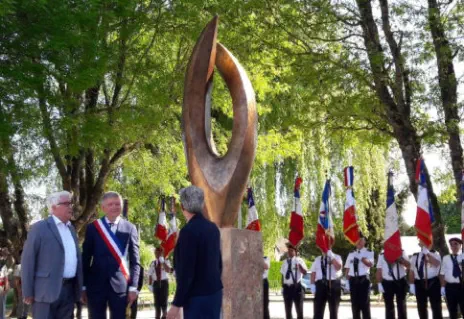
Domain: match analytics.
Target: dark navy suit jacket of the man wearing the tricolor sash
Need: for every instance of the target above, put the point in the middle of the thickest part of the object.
(99, 265)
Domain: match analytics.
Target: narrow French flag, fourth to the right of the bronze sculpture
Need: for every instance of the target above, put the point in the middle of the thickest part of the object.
(350, 225)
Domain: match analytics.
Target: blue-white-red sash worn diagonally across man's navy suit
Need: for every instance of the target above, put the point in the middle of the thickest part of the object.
(113, 244)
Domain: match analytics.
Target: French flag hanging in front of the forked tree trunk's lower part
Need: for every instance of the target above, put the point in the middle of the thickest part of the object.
(424, 215)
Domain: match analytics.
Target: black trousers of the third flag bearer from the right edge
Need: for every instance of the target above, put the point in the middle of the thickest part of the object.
(398, 289)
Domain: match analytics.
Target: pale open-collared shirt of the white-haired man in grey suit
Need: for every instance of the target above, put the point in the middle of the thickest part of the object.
(70, 253)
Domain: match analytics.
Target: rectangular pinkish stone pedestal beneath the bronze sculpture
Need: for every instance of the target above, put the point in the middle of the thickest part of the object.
(242, 273)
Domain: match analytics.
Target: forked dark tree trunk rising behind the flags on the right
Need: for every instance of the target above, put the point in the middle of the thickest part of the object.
(397, 107)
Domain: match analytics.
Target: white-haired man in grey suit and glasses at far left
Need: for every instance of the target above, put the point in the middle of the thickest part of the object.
(51, 273)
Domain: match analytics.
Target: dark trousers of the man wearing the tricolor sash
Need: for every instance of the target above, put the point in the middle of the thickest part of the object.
(100, 299)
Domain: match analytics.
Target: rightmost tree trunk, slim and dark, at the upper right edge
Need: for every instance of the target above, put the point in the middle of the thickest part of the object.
(448, 89)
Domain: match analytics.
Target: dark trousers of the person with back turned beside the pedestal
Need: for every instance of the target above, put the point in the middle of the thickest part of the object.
(204, 307)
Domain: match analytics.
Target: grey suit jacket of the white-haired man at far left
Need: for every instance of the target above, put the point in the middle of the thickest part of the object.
(42, 263)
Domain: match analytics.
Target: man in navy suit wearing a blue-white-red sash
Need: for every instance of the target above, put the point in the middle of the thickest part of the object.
(110, 261)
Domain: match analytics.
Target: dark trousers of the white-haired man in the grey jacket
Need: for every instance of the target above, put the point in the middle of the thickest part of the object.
(62, 308)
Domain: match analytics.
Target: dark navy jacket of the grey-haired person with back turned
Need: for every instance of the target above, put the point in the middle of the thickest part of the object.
(197, 260)
